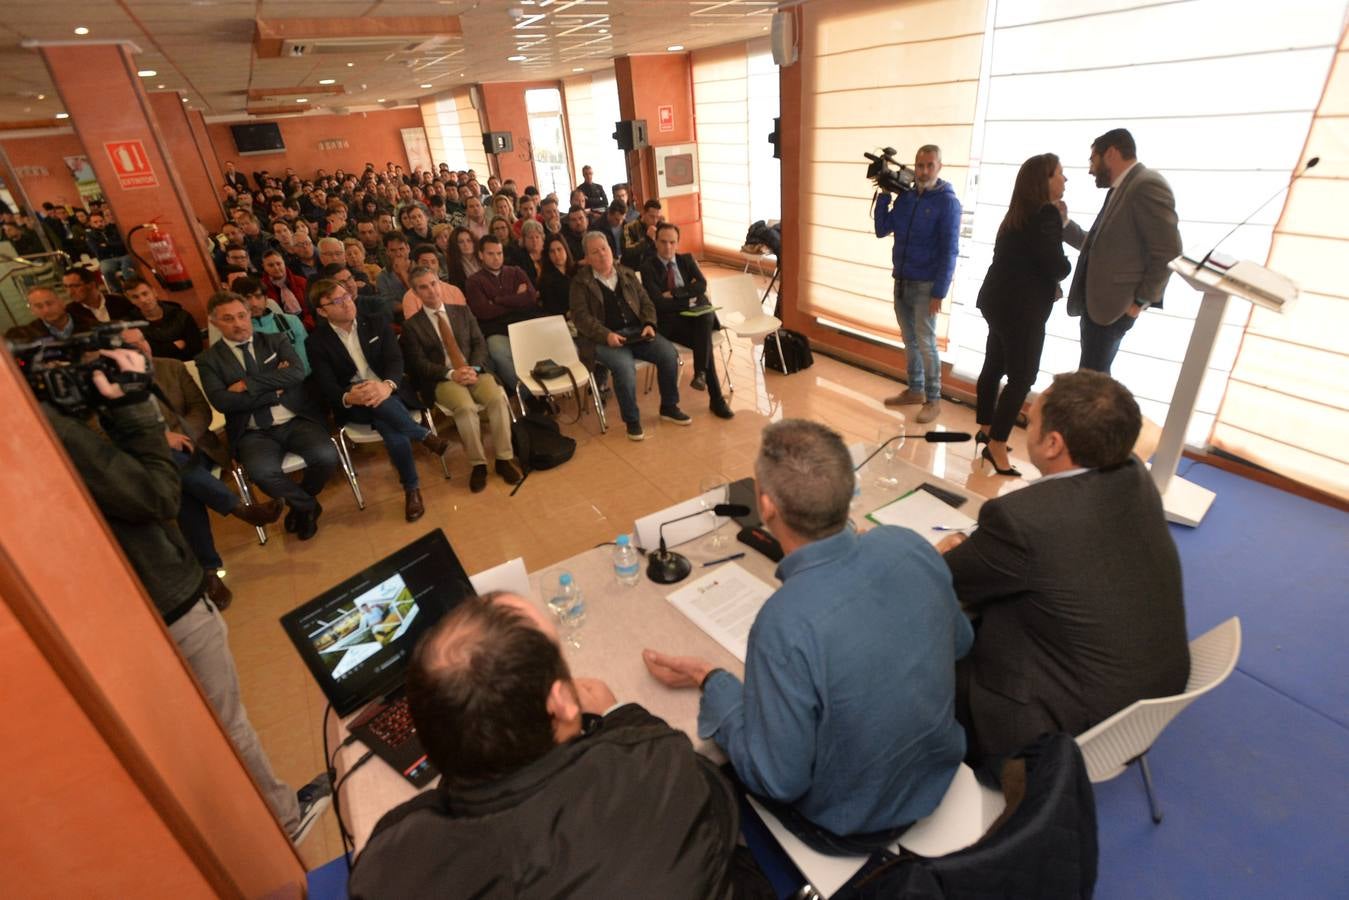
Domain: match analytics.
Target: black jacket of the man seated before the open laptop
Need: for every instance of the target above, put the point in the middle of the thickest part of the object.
(628, 810)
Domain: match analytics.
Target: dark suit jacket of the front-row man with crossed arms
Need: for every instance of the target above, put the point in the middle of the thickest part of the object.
(219, 369)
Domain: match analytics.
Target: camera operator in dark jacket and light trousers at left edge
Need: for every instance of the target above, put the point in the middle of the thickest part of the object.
(134, 481)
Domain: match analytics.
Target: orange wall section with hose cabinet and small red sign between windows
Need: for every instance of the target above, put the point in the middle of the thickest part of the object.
(644, 86)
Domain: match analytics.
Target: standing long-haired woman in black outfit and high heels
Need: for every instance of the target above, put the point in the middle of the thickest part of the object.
(1016, 299)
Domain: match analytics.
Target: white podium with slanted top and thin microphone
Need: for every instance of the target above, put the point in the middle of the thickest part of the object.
(1186, 503)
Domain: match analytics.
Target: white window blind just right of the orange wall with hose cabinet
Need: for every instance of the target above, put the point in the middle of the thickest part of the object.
(736, 99)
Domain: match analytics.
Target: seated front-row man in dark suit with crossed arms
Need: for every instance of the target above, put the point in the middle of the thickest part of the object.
(257, 381)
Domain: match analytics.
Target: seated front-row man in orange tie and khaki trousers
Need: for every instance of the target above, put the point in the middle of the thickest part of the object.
(447, 360)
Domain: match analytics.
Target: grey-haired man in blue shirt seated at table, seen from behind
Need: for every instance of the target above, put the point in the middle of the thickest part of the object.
(846, 720)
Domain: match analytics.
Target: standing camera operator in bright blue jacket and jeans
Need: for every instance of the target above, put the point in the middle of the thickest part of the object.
(926, 223)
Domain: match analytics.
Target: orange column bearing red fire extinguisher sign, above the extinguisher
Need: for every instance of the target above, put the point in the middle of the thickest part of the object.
(114, 121)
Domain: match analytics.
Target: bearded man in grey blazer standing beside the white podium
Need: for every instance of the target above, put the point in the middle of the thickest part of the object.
(1123, 261)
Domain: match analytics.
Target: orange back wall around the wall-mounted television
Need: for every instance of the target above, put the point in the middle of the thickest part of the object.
(372, 137)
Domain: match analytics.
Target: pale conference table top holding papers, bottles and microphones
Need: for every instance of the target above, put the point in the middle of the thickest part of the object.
(620, 623)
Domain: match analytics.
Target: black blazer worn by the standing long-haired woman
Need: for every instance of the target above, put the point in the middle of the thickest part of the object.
(1029, 264)
